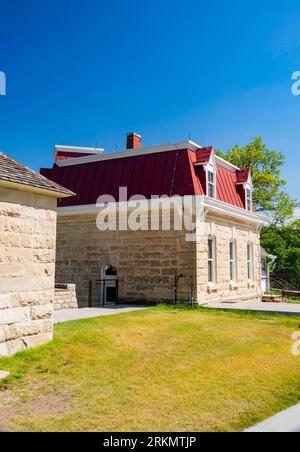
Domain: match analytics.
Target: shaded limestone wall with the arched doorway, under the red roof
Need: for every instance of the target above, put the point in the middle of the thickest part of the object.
(146, 261)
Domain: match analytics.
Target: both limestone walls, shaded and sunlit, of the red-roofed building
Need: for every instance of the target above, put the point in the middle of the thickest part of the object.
(147, 262)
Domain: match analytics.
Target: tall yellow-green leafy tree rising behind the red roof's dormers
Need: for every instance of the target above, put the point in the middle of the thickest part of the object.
(269, 195)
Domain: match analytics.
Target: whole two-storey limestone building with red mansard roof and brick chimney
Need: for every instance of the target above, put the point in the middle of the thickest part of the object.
(221, 262)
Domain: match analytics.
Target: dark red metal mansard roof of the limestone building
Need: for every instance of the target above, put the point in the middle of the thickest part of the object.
(155, 174)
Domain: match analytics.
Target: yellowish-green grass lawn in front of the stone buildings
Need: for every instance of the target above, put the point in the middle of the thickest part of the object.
(163, 369)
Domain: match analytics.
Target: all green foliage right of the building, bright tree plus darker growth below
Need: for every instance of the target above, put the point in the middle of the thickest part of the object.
(282, 236)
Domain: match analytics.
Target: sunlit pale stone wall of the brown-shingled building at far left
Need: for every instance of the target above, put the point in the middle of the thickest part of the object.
(27, 256)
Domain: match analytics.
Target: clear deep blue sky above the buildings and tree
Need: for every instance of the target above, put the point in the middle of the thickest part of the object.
(90, 71)
